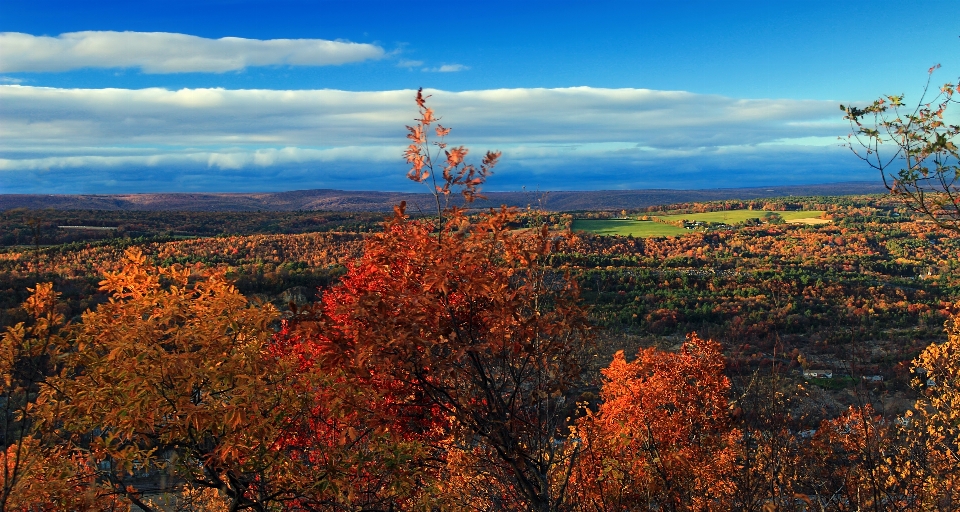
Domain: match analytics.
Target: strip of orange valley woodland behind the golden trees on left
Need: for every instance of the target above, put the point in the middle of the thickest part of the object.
(260, 265)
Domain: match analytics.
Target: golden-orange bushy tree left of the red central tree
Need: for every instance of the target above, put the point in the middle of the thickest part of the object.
(171, 383)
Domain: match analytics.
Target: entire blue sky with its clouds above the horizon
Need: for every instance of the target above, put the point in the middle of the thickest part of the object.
(118, 97)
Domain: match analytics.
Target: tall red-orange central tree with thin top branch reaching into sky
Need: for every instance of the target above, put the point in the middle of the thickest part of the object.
(475, 345)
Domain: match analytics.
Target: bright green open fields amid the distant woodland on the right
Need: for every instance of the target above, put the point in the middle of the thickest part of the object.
(645, 228)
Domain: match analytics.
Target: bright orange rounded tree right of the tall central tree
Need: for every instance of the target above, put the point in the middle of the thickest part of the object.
(661, 437)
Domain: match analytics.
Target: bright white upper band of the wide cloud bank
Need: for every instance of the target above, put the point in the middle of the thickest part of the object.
(38, 116)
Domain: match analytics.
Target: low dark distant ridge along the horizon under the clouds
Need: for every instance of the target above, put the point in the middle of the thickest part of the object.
(340, 200)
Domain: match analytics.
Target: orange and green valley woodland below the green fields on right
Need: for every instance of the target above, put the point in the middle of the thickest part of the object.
(774, 280)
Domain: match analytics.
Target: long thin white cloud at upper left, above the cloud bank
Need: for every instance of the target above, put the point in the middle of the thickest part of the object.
(164, 52)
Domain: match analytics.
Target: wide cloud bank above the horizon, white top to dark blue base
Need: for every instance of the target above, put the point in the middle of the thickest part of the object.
(121, 140)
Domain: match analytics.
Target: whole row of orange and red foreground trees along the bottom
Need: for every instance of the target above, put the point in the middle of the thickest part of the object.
(444, 373)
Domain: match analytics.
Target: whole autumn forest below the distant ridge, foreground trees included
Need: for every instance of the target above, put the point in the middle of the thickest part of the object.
(498, 359)
